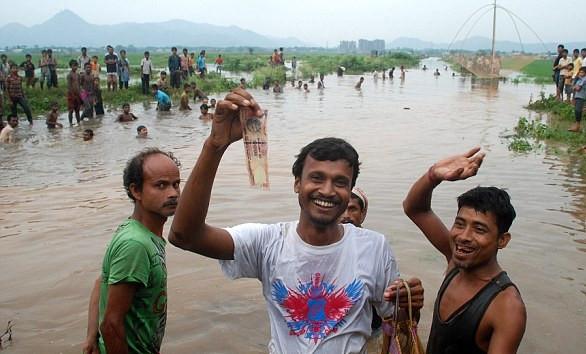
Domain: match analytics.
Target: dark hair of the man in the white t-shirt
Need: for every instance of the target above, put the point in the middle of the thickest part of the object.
(328, 149)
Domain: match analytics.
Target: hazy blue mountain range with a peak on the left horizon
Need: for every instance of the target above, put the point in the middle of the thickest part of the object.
(67, 29)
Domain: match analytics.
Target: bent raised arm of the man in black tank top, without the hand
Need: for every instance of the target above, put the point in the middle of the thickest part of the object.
(417, 206)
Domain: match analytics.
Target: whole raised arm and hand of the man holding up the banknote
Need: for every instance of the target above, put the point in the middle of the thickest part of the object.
(189, 230)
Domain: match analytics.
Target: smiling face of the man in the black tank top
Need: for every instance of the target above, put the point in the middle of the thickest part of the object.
(475, 239)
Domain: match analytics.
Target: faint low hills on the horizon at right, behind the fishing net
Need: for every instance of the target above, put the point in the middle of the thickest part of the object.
(480, 43)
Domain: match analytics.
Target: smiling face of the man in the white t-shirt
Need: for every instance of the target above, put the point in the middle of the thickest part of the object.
(323, 190)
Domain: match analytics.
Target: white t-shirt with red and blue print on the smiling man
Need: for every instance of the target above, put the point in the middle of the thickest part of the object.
(318, 298)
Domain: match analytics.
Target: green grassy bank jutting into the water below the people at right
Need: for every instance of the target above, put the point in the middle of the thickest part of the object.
(551, 132)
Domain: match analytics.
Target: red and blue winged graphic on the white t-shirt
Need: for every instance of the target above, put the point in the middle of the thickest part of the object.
(316, 308)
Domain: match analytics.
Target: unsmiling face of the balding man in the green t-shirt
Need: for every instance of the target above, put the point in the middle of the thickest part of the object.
(160, 188)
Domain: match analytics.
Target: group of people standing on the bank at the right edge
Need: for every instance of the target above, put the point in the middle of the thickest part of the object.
(569, 77)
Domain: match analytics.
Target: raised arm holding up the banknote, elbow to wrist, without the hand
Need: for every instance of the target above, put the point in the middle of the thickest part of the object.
(189, 230)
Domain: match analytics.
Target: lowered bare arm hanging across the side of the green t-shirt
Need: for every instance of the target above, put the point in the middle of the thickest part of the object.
(112, 329)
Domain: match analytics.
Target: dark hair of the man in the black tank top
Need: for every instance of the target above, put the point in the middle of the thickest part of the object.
(490, 199)
